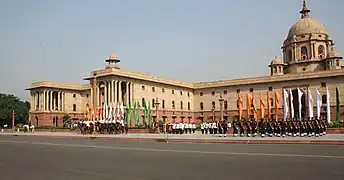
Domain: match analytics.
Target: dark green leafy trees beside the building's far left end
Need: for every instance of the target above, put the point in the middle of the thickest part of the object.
(9, 103)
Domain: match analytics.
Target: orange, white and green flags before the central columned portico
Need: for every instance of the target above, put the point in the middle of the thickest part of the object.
(116, 111)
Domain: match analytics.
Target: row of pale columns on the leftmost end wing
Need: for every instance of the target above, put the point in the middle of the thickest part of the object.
(47, 101)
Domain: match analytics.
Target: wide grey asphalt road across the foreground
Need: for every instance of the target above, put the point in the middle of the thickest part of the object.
(37, 158)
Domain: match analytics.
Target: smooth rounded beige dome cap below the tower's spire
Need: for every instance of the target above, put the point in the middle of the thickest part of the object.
(306, 25)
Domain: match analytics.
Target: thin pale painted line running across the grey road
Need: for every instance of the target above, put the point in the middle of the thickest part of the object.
(171, 150)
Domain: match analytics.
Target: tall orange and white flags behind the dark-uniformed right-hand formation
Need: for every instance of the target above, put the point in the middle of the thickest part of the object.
(287, 95)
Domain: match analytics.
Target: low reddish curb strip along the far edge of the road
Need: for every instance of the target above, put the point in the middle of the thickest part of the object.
(230, 141)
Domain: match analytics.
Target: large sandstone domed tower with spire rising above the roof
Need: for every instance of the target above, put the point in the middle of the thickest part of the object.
(308, 45)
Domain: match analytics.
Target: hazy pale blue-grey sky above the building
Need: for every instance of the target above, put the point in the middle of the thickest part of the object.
(191, 40)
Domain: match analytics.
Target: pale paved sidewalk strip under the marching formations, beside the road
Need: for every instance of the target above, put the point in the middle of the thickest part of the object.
(330, 139)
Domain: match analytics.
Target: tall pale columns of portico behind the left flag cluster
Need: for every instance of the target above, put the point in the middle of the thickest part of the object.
(113, 91)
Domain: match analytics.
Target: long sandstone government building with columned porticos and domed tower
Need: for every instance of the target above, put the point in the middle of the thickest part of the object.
(309, 60)
